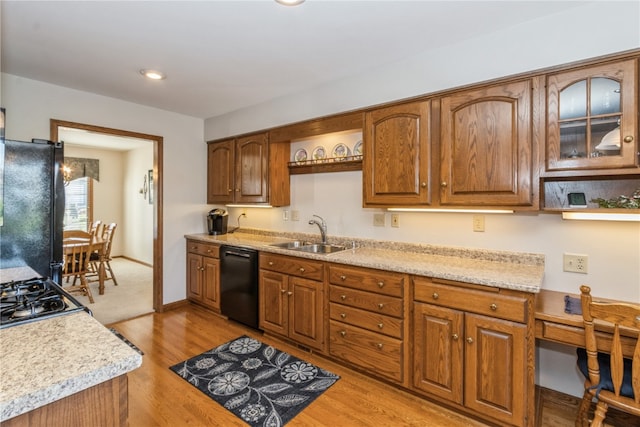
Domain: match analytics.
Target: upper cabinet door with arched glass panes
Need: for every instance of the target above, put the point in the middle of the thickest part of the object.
(592, 117)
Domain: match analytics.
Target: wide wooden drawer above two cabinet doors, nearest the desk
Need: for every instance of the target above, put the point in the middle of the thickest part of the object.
(492, 304)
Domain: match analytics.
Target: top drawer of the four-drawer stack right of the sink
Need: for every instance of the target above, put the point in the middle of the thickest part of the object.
(367, 279)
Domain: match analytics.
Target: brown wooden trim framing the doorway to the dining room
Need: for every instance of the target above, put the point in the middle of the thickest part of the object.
(57, 126)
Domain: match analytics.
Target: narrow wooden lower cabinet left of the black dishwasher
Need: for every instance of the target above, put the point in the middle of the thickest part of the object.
(203, 274)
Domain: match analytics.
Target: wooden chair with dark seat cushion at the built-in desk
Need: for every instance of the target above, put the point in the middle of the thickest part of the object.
(611, 379)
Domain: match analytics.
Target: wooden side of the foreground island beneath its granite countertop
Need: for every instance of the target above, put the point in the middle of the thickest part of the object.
(105, 405)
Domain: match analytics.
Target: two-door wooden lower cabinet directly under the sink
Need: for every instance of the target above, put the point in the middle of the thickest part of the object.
(290, 305)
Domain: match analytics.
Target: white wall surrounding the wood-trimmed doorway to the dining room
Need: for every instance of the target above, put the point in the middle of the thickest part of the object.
(31, 104)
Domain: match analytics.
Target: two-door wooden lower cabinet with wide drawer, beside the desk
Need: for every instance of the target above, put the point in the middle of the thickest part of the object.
(465, 353)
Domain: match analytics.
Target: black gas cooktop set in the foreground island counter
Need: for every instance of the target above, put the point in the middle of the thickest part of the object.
(23, 301)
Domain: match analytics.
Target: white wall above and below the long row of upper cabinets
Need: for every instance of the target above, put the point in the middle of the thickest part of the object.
(579, 33)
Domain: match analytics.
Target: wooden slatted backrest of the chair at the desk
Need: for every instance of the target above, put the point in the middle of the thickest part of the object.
(621, 316)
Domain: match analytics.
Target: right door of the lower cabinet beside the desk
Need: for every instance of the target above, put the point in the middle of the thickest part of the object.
(495, 368)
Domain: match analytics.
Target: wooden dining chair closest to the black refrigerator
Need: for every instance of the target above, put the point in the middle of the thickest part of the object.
(77, 248)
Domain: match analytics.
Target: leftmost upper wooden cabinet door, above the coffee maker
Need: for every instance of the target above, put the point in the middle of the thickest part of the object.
(220, 172)
